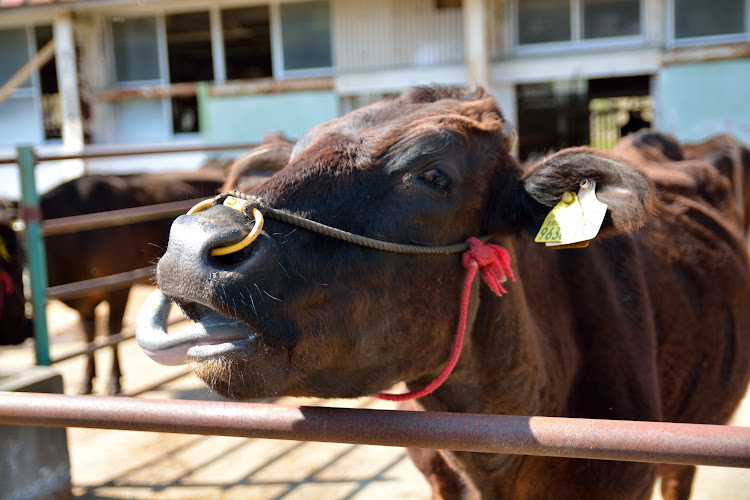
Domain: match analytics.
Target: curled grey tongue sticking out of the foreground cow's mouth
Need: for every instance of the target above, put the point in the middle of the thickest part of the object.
(213, 335)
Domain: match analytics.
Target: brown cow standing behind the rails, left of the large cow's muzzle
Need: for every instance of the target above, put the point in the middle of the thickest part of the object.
(103, 252)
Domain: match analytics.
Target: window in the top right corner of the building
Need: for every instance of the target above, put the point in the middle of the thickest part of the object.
(699, 18)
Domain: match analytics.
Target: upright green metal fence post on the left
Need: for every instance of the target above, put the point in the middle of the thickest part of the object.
(37, 262)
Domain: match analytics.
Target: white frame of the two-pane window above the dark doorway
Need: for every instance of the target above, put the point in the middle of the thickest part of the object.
(577, 41)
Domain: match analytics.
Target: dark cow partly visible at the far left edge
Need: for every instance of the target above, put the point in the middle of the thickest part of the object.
(15, 327)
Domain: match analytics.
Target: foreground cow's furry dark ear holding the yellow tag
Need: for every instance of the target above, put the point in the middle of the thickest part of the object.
(625, 190)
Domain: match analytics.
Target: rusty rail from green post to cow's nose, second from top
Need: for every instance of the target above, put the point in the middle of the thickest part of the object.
(112, 218)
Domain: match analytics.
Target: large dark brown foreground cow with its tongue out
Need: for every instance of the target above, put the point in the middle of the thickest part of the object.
(650, 322)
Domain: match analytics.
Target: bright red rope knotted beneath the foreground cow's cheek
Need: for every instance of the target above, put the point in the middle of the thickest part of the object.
(494, 262)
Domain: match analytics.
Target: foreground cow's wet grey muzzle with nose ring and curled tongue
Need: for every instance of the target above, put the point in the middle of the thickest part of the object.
(203, 250)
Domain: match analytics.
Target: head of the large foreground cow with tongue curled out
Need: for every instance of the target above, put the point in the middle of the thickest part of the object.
(297, 313)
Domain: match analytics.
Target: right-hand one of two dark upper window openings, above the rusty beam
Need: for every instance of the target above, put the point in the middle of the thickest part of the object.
(247, 42)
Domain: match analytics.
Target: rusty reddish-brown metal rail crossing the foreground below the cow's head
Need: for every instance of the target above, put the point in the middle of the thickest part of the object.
(654, 442)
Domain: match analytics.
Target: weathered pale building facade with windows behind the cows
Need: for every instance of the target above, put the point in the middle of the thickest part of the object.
(566, 72)
